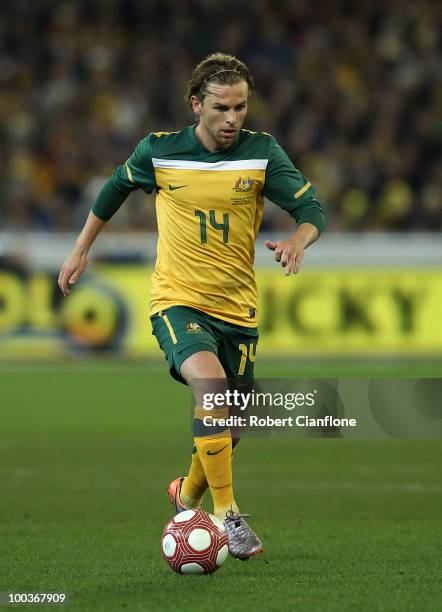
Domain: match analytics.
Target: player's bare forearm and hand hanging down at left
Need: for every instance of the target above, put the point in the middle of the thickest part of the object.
(76, 263)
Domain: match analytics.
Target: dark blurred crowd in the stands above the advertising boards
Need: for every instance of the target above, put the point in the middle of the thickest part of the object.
(351, 89)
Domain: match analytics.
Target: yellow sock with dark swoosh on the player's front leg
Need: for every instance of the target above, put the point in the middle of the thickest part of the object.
(215, 453)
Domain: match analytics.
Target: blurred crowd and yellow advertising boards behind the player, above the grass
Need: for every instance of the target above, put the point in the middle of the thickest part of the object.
(352, 92)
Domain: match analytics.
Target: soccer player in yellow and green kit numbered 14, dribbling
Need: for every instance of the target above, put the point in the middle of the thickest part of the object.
(211, 179)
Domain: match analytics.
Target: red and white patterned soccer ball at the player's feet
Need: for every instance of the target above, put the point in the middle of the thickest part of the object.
(194, 542)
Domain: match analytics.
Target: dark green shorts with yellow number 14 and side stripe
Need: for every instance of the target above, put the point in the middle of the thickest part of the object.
(183, 331)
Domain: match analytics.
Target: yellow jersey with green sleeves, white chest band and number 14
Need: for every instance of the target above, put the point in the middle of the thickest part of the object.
(209, 207)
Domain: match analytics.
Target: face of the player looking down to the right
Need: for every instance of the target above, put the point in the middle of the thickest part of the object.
(221, 114)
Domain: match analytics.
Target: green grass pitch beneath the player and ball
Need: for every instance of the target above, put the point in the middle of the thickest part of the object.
(87, 451)
